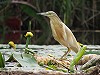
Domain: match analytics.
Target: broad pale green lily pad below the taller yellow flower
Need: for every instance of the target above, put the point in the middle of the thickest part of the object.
(26, 60)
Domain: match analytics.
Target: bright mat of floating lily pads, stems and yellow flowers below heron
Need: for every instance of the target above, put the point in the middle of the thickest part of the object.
(42, 58)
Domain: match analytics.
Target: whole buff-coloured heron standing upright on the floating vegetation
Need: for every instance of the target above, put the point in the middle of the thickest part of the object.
(62, 33)
